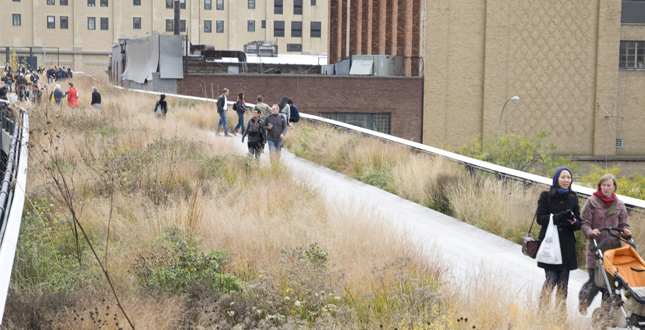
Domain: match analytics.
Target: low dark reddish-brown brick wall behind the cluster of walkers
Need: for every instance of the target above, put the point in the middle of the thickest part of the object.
(400, 96)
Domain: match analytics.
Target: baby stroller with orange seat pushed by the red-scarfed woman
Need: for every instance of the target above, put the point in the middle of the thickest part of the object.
(621, 272)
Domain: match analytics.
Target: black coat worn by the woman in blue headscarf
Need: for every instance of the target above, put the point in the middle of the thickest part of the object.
(556, 204)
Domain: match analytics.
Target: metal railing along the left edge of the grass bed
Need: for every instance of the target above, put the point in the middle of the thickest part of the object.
(12, 195)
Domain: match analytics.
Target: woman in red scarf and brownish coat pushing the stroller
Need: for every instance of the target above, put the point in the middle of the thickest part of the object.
(601, 210)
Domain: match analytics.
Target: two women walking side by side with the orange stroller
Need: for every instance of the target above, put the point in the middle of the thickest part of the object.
(602, 209)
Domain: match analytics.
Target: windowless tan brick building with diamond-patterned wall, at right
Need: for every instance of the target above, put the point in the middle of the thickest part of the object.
(577, 66)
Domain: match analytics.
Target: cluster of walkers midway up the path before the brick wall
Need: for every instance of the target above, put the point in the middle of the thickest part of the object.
(268, 124)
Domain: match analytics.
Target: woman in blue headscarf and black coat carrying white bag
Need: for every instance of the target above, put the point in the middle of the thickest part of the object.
(561, 201)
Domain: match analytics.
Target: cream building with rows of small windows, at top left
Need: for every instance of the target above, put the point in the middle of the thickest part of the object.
(85, 30)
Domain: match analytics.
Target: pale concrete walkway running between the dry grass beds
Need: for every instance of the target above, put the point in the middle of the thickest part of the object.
(473, 251)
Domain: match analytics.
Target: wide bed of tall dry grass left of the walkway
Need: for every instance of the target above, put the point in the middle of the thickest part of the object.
(133, 177)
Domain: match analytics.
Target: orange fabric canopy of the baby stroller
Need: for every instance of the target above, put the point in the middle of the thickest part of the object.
(629, 265)
